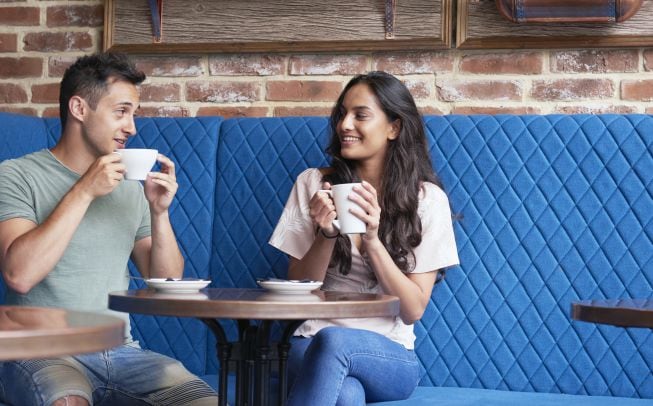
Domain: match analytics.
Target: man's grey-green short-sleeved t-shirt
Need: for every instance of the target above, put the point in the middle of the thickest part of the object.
(95, 261)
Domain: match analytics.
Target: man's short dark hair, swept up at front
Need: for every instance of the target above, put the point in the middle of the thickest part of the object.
(90, 76)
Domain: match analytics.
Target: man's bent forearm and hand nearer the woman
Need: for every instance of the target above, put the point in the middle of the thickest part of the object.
(158, 256)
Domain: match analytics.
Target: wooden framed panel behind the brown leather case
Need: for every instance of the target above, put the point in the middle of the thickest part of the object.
(480, 25)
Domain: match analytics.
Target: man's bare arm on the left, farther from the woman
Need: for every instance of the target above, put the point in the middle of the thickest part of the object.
(28, 252)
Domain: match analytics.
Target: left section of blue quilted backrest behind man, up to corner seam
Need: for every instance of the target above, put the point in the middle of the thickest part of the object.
(191, 143)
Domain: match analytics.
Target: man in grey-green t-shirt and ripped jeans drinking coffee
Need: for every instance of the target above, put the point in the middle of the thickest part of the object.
(69, 223)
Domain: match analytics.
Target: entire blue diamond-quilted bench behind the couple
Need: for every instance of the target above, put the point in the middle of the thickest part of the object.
(553, 209)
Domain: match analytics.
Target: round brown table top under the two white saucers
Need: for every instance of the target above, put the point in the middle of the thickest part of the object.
(254, 304)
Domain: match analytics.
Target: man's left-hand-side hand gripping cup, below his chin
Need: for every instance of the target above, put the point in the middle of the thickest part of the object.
(102, 177)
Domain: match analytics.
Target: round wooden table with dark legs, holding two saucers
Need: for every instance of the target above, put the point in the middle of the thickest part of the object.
(246, 306)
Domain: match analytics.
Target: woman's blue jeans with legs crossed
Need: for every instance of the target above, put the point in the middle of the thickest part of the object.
(344, 366)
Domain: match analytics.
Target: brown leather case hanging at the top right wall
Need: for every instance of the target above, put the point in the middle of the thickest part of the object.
(527, 11)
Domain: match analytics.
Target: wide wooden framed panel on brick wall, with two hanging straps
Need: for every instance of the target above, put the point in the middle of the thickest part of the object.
(198, 26)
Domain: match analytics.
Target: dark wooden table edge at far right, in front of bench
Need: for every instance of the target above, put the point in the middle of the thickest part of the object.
(617, 312)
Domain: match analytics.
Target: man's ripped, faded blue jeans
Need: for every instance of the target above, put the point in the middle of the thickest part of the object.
(126, 375)
